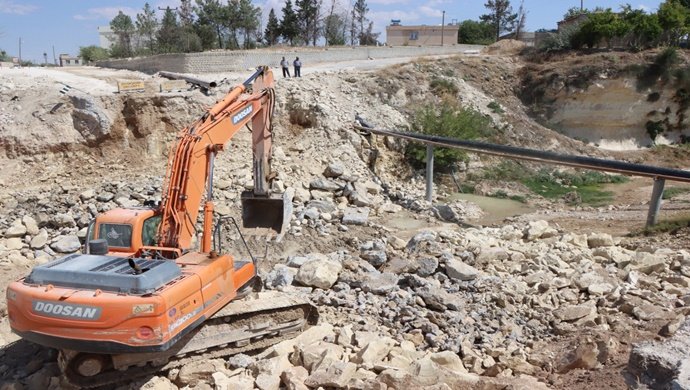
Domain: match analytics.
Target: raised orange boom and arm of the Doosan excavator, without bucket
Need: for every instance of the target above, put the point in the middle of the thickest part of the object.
(189, 175)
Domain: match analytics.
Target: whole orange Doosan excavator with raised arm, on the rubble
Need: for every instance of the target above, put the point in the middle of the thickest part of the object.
(144, 298)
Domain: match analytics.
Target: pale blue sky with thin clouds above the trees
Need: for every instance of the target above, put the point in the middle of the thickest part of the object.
(69, 24)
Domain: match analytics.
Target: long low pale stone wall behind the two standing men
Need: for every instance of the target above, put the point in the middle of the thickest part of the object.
(225, 61)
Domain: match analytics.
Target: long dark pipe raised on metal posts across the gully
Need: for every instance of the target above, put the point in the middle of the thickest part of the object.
(599, 164)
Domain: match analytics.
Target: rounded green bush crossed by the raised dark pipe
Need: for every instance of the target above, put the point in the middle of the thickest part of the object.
(449, 119)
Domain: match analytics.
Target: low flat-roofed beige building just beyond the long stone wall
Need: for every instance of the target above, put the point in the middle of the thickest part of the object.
(398, 35)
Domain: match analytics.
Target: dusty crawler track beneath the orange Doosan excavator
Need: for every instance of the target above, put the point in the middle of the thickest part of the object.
(255, 322)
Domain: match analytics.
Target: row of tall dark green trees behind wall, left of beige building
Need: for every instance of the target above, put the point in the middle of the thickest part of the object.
(235, 24)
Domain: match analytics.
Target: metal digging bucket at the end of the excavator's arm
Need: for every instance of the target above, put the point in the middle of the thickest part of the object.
(267, 212)
